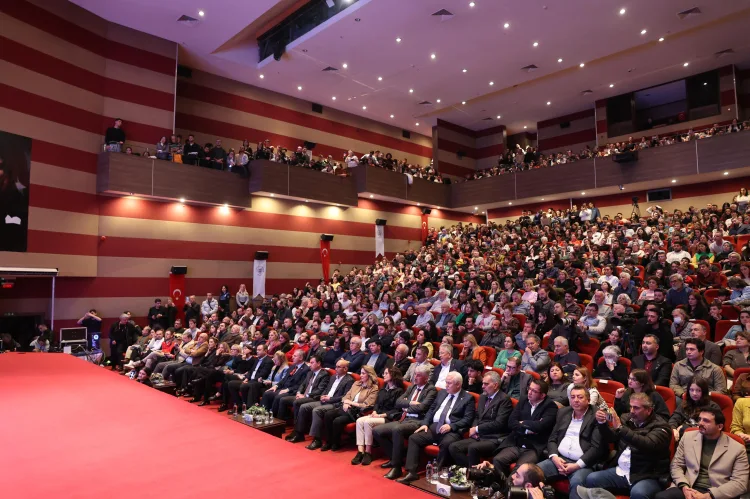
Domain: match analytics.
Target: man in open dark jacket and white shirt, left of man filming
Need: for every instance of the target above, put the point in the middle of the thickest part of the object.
(575, 443)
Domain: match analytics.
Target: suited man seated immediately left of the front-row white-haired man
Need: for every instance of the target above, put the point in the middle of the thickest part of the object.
(407, 416)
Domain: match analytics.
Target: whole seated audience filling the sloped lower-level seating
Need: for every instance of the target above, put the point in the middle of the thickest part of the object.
(541, 342)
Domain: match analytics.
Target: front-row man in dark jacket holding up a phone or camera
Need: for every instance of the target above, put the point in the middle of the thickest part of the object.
(641, 439)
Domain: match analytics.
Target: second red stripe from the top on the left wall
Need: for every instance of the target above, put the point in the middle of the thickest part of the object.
(39, 62)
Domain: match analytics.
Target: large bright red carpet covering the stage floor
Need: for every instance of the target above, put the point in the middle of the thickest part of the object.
(71, 429)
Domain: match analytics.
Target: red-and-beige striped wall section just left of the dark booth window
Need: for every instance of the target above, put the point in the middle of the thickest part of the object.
(570, 132)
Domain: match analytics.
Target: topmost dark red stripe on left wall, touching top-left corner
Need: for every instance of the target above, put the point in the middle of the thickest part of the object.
(72, 33)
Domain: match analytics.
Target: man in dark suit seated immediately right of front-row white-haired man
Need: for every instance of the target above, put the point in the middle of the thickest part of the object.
(490, 424)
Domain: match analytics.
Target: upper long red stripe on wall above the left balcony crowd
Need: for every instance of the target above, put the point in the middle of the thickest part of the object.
(244, 104)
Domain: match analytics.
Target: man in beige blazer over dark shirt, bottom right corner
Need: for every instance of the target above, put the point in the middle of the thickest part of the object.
(708, 464)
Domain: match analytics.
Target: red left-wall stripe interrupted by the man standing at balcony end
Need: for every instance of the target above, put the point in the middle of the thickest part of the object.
(64, 114)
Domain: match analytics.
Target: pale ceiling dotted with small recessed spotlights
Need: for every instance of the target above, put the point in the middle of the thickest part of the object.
(364, 36)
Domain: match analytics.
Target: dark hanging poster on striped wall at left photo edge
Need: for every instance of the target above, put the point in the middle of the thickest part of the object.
(15, 171)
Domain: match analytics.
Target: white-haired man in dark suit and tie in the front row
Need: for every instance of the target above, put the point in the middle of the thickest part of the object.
(449, 417)
